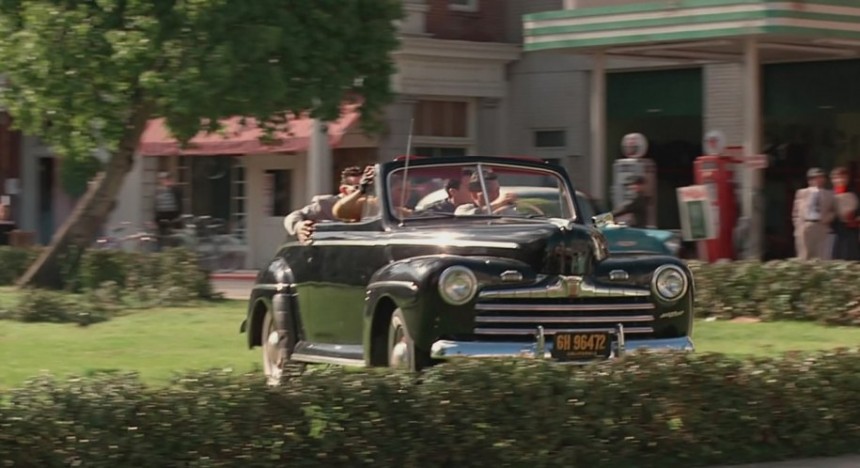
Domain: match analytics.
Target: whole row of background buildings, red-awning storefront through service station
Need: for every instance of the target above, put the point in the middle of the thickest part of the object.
(563, 80)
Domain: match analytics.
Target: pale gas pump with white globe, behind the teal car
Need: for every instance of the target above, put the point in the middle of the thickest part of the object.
(634, 146)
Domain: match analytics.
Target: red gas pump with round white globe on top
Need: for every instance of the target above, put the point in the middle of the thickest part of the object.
(716, 171)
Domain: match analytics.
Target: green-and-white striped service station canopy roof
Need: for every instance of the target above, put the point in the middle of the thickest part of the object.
(701, 31)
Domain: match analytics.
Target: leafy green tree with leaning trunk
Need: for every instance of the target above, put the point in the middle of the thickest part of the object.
(84, 74)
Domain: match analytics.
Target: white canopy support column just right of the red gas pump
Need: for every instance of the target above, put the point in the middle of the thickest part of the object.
(752, 179)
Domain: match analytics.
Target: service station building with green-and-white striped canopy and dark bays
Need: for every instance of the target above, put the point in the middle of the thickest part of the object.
(777, 78)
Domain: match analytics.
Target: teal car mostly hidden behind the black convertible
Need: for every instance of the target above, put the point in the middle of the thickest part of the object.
(621, 239)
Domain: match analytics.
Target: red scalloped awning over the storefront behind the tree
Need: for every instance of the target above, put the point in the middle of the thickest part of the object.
(238, 140)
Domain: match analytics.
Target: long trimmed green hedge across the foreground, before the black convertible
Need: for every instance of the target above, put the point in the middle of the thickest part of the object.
(642, 410)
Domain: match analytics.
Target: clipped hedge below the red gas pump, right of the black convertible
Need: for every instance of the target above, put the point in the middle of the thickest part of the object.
(821, 291)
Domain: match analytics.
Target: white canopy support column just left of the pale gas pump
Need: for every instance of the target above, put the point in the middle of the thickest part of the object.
(598, 127)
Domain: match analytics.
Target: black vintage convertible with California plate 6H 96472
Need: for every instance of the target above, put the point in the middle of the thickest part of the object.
(534, 280)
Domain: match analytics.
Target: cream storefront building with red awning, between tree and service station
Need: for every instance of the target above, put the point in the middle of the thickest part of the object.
(451, 85)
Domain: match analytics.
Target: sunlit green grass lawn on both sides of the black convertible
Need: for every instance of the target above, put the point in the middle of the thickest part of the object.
(162, 342)
